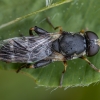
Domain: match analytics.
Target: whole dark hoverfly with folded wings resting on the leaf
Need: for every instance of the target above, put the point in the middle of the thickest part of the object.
(48, 47)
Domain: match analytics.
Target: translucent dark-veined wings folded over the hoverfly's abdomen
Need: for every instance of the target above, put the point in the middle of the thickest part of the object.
(25, 49)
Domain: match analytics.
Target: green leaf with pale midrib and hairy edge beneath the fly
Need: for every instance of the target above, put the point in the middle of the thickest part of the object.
(17, 17)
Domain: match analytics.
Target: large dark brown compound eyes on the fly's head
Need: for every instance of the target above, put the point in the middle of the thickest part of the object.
(92, 47)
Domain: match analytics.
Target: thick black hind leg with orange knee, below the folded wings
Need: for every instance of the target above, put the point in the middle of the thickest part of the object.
(36, 65)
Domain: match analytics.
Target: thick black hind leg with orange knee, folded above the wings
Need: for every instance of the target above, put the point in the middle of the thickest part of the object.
(38, 30)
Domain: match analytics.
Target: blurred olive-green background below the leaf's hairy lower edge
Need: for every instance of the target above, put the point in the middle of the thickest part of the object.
(20, 87)
